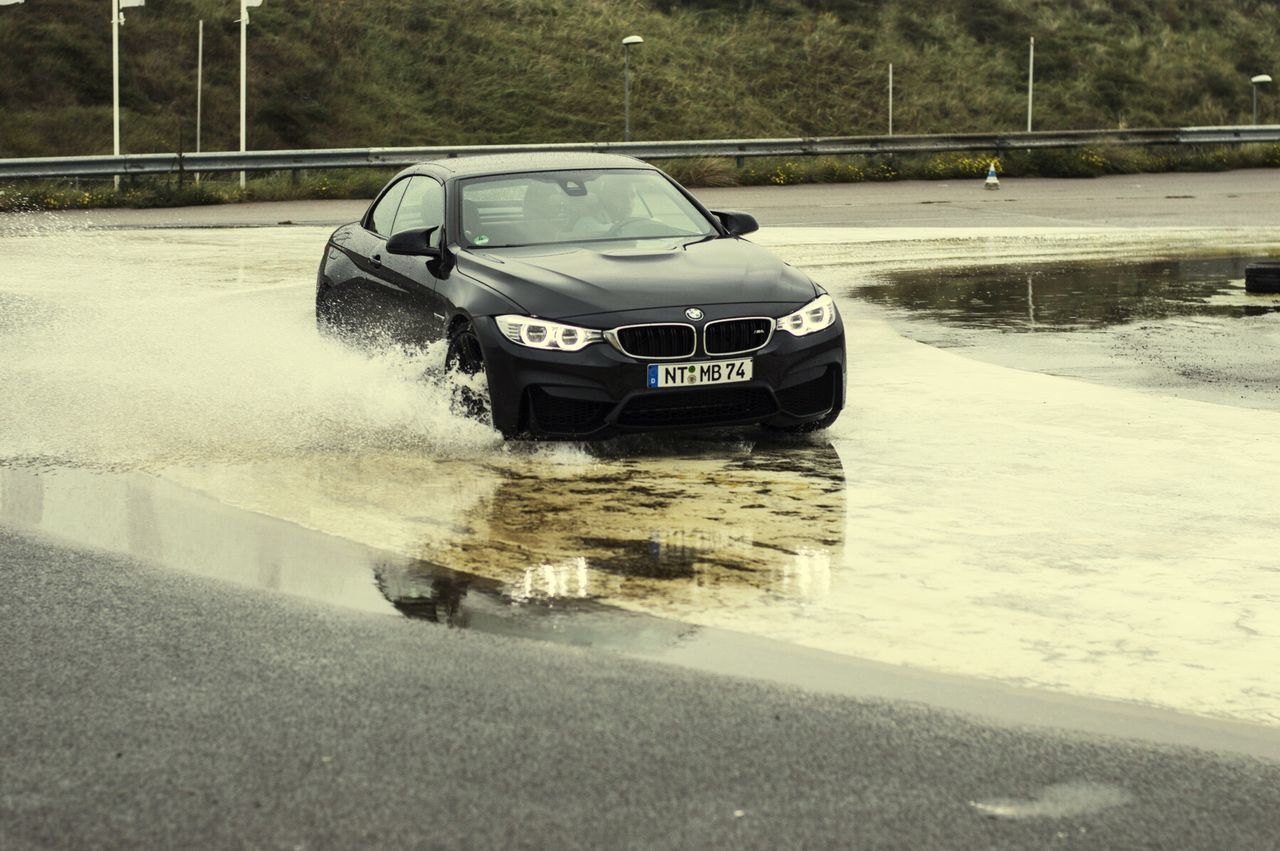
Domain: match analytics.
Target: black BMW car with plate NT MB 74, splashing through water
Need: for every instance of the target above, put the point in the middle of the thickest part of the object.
(584, 296)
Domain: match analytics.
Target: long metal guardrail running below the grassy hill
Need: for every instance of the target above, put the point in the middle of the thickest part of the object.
(209, 162)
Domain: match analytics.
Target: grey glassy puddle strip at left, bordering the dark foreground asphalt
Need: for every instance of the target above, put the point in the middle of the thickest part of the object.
(148, 518)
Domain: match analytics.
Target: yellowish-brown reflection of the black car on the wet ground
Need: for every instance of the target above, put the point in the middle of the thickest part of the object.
(661, 534)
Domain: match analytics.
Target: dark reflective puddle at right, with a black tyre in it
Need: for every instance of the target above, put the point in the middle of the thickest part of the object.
(1183, 327)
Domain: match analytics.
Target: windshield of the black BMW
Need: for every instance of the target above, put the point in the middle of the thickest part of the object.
(547, 208)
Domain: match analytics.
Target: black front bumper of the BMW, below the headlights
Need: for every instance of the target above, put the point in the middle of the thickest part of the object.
(600, 392)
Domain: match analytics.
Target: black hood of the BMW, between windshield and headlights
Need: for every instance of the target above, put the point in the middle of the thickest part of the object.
(561, 282)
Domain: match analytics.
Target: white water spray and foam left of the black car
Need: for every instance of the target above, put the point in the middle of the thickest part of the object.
(144, 349)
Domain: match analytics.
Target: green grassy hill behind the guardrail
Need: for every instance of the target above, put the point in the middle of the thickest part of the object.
(332, 74)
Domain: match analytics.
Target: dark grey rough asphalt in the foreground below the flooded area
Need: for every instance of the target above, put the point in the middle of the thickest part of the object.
(149, 710)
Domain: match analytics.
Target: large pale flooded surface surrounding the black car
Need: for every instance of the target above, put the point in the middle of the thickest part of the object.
(166, 395)
